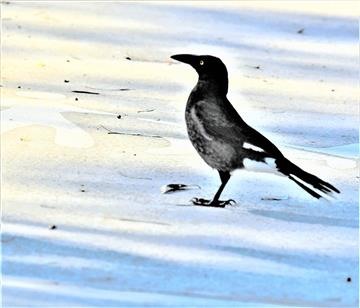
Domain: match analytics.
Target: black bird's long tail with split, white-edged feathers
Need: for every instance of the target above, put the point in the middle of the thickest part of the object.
(305, 179)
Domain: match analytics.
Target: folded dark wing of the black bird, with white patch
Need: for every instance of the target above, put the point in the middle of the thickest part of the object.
(222, 122)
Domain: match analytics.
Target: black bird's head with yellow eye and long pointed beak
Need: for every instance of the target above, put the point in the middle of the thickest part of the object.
(209, 68)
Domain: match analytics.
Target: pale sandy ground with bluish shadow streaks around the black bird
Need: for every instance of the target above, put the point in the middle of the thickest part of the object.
(118, 241)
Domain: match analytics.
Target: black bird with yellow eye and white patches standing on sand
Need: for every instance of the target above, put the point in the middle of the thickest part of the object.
(224, 140)
